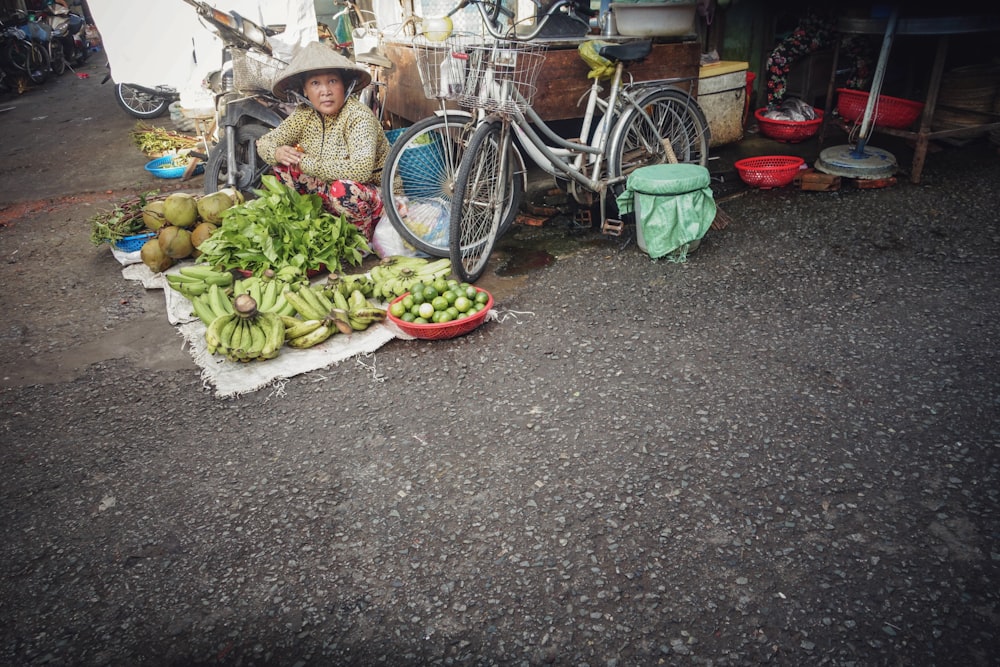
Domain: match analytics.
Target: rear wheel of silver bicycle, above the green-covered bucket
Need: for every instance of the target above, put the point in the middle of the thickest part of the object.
(677, 122)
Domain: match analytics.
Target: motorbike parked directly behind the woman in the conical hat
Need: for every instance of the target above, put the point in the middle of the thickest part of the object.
(245, 109)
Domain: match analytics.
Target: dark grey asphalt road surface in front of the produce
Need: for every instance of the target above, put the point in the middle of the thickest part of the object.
(782, 451)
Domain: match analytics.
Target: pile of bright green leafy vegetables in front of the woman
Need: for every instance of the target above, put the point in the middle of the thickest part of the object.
(282, 227)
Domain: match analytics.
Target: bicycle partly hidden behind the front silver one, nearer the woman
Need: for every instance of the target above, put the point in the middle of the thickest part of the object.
(422, 217)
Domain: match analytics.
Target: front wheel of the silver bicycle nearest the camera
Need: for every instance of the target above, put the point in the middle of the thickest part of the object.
(486, 190)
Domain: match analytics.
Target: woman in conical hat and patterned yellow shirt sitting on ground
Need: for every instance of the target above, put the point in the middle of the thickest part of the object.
(331, 145)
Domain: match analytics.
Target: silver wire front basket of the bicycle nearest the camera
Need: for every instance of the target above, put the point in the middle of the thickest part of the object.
(500, 76)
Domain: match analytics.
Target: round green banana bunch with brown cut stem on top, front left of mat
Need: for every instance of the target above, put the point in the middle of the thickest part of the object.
(246, 334)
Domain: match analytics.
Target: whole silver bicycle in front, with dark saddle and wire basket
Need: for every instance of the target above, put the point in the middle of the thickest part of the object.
(639, 124)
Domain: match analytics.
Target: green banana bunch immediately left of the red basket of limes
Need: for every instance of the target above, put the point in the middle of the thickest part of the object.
(322, 318)
